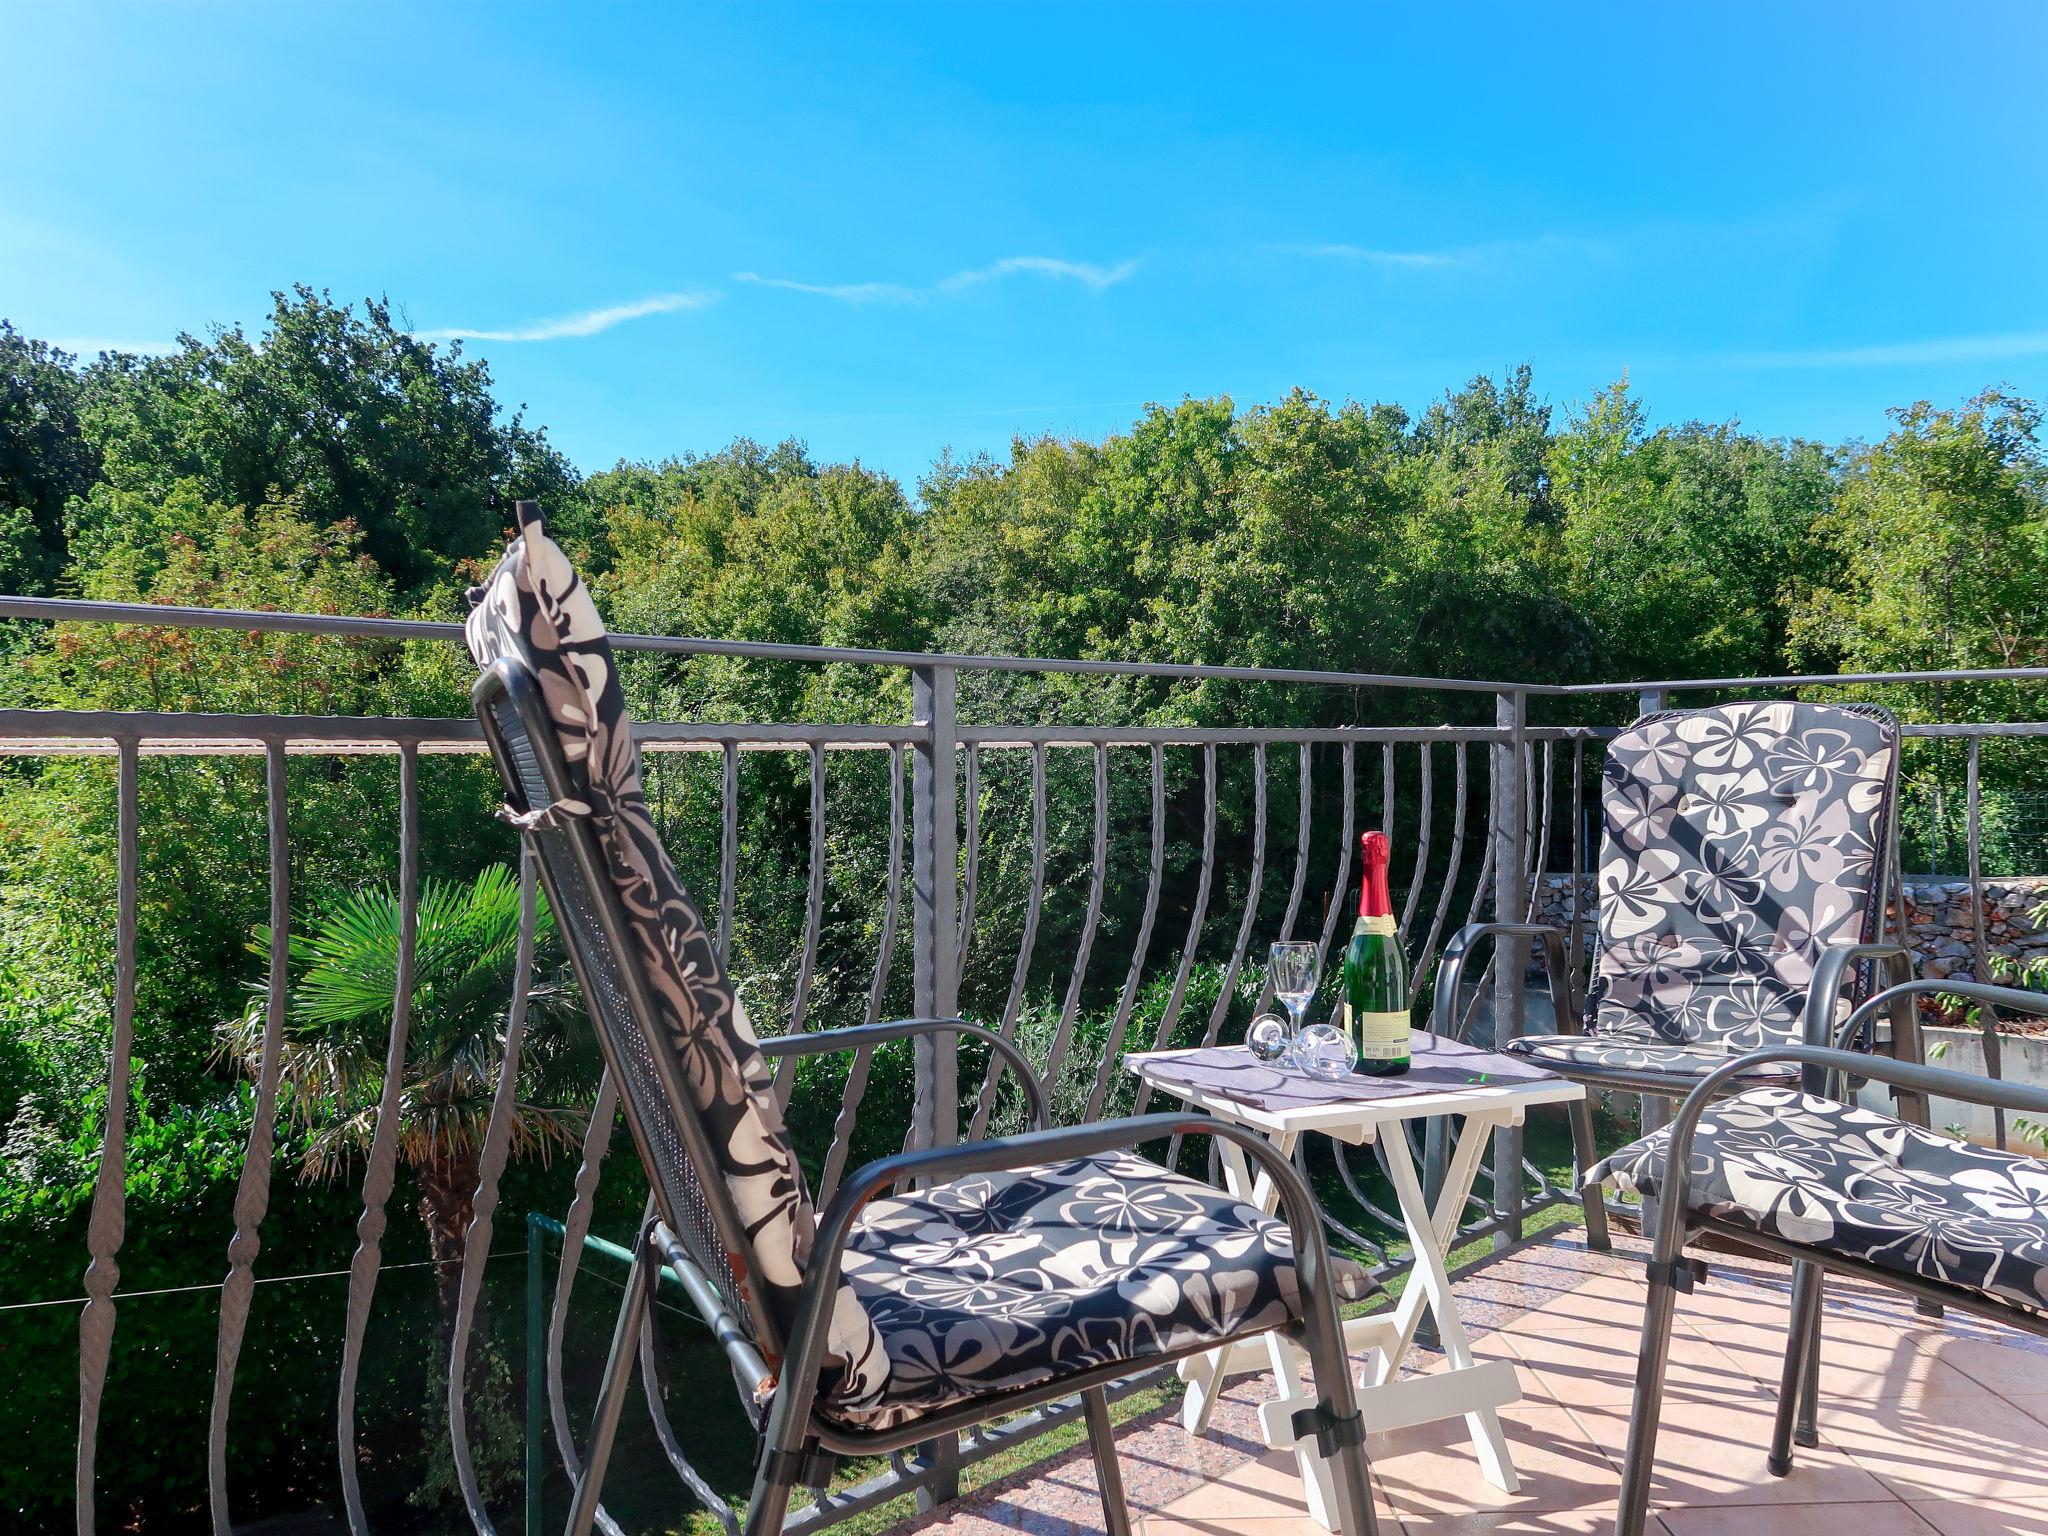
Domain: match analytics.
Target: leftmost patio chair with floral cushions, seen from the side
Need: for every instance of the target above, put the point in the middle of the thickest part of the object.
(1015, 1273)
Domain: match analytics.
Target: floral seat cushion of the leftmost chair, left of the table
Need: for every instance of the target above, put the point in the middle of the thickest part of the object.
(1007, 1281)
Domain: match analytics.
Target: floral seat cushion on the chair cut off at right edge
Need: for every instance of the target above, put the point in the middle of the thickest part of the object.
(1863, 1185)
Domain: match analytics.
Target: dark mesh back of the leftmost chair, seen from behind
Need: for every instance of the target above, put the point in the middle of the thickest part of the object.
(648, 1107)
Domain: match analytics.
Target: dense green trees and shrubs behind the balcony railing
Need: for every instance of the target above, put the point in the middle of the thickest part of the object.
(335, 464)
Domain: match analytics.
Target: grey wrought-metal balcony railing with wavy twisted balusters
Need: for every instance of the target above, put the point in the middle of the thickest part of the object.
(1484, 808)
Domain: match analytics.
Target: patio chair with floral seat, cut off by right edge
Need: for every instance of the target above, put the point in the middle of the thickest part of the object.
(1803, 1175)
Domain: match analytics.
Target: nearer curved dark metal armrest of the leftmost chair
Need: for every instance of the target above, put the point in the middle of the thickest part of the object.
(837, 1224)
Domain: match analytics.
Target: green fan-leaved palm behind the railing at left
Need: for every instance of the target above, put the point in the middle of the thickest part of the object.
(333, 1054)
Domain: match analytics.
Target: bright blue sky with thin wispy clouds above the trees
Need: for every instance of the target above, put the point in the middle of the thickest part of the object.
(892, 230)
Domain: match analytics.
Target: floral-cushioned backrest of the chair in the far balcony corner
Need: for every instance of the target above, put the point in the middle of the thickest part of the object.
(1740, 843)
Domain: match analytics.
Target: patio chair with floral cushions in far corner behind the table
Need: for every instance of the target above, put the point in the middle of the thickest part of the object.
(1742, 888)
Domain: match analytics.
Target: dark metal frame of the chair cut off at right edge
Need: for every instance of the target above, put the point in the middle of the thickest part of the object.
(1826, 1070)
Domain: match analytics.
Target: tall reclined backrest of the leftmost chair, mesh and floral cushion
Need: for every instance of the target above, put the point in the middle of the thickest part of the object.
(695, 1089)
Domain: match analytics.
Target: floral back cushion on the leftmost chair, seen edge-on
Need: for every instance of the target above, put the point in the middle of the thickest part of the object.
(540, 613)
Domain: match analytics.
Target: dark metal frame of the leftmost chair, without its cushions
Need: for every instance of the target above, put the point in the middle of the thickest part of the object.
(800, 1445)
